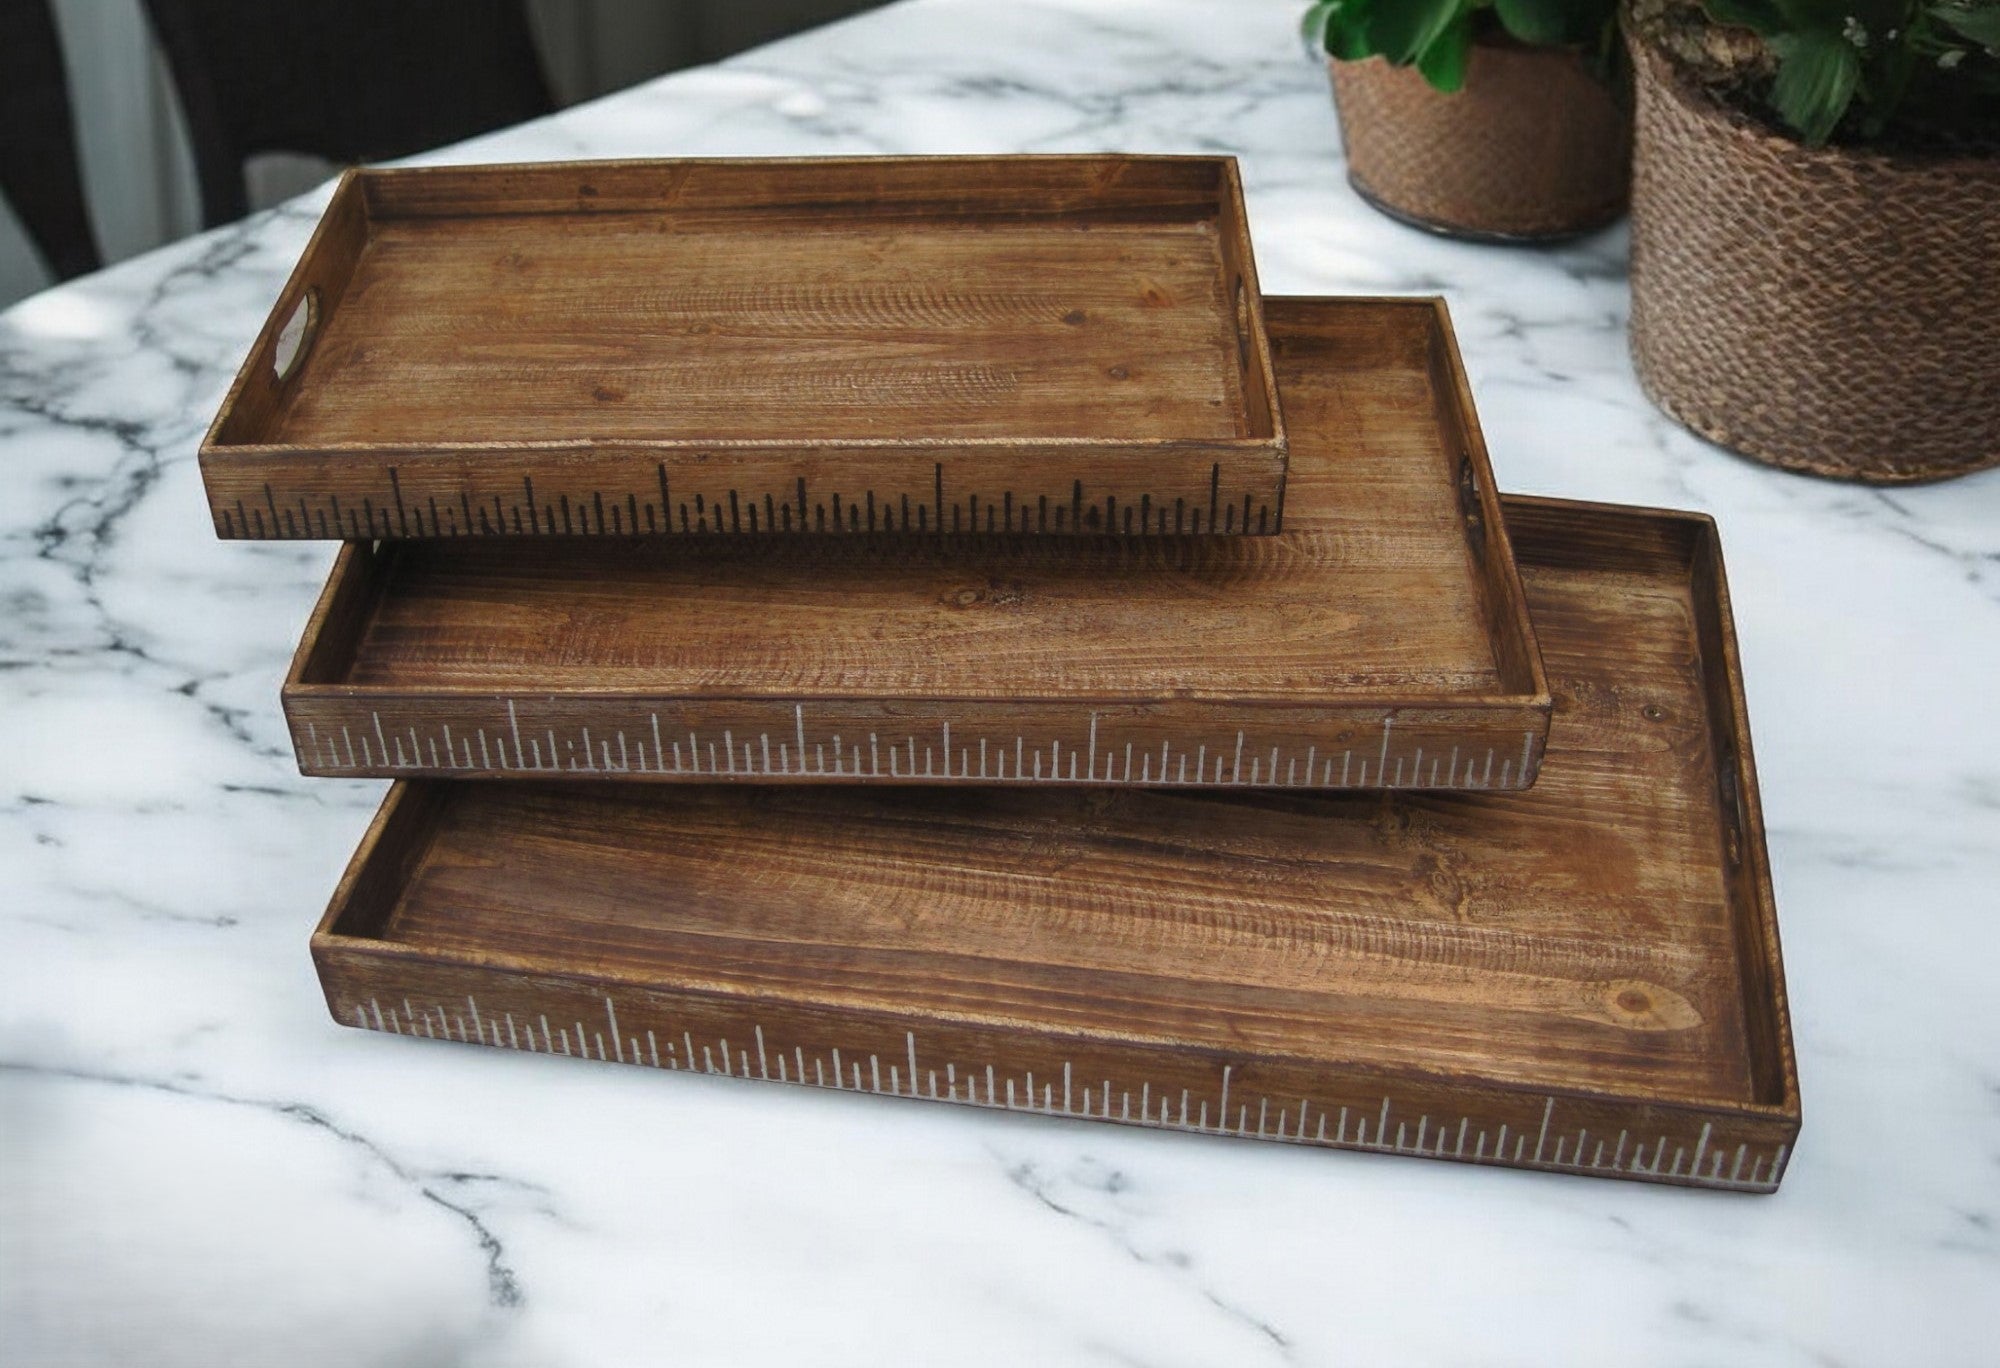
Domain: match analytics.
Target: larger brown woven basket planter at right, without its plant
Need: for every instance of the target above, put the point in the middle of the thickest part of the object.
(1815, 309)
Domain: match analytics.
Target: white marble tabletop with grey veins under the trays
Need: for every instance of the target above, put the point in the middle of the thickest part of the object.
(197, 1167)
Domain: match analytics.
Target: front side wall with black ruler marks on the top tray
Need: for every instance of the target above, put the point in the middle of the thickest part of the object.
(667, 489)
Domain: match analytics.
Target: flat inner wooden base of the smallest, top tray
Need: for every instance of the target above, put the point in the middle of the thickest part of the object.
(795, 327)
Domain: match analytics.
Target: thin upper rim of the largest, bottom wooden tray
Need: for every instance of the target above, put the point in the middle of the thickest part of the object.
(407, 801)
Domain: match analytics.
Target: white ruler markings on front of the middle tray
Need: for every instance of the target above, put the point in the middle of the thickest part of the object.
(757, 759)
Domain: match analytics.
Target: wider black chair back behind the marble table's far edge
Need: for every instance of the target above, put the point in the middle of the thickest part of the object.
(353, 81)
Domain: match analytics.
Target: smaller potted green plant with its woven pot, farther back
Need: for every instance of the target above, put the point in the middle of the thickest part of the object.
(1481, 119)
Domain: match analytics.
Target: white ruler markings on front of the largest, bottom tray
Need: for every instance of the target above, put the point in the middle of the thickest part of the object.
(1003, 1095)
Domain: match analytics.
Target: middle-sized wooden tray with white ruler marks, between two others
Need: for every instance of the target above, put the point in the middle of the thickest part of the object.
(1381, 641)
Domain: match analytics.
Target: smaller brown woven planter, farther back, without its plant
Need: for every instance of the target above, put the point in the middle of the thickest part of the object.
(1533, 149)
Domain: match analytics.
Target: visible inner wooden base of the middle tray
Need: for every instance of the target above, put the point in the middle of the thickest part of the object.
(1321, 611)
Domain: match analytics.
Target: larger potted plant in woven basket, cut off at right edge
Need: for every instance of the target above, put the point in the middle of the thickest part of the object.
(1817, 231)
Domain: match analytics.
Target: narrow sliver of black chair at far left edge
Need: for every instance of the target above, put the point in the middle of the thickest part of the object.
(39, 169)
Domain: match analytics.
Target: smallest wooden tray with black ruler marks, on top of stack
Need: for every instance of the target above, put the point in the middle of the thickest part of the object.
(845, 345)
